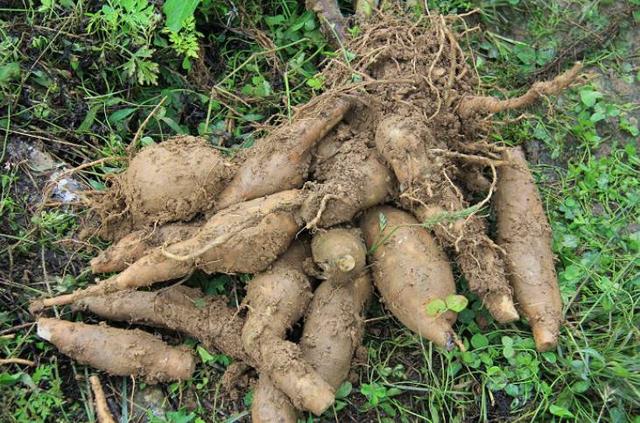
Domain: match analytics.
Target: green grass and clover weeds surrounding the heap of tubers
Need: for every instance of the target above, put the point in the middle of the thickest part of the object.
(80, 79)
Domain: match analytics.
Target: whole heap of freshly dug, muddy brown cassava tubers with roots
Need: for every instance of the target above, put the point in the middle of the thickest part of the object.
(385, 178)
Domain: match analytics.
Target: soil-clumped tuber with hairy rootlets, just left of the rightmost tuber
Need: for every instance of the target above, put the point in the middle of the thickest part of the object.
(414, 154)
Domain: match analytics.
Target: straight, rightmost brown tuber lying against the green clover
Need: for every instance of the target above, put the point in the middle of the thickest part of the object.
(525, 234)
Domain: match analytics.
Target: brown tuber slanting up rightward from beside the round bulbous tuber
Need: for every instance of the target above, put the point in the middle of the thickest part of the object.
(281, 161)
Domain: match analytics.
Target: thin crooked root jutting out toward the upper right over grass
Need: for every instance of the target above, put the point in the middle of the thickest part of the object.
(487, 104)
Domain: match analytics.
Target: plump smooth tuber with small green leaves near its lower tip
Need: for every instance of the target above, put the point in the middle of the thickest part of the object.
(410, 271)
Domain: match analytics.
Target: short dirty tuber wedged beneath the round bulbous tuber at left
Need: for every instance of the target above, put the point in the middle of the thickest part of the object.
(135, 245)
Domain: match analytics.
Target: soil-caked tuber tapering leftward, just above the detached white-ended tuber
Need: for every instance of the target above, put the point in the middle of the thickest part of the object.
(186, 310)
